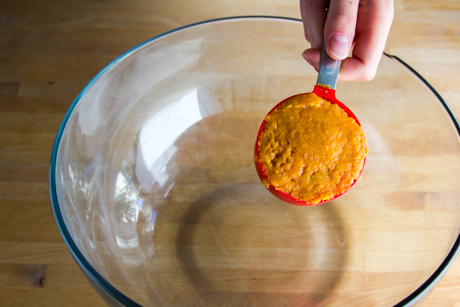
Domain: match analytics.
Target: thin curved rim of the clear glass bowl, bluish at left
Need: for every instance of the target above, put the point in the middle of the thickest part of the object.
(91, 272)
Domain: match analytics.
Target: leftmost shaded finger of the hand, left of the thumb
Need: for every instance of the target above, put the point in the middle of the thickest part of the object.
(313, 14)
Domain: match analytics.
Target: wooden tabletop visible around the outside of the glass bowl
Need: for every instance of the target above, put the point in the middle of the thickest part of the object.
(50, 49)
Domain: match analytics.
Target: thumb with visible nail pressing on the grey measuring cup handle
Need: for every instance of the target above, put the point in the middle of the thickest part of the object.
(340, 26)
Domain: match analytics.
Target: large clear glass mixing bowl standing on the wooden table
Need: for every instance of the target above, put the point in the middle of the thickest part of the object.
(154, 188)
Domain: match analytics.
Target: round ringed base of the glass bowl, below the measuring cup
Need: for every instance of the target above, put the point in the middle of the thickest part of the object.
(260, 251)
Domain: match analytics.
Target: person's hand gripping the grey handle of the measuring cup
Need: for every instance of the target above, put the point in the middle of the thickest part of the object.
(358, 25)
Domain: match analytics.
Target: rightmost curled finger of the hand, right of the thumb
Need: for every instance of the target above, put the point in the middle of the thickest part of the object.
(373, 26)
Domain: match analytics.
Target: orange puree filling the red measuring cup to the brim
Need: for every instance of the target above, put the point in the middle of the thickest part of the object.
(310, 149)
